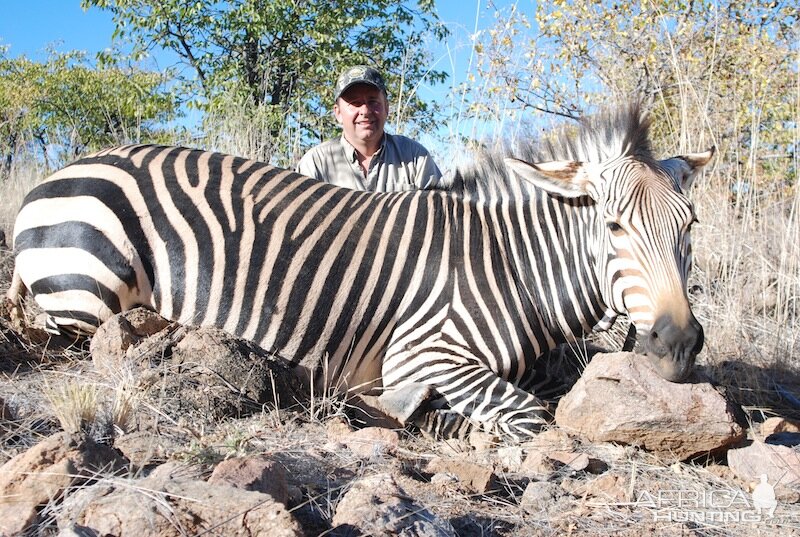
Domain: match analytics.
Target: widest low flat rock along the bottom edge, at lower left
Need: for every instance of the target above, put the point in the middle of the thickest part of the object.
(158, 505)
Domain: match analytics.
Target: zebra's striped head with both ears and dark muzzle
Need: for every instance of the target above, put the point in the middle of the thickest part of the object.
(639, 234)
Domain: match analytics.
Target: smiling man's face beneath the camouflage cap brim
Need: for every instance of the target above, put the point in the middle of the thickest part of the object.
(362, 111)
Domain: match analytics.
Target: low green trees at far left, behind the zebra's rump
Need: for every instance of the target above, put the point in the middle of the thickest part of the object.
(66, 106)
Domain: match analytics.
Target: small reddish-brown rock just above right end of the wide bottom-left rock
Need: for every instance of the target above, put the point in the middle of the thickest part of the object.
(258, 473)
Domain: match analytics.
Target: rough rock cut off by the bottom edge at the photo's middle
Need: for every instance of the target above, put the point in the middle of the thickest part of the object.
(376, 505)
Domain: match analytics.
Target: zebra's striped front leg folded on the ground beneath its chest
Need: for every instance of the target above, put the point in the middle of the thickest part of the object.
(469, 389)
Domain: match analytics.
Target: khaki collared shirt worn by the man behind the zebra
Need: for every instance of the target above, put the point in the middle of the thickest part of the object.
(400, 164)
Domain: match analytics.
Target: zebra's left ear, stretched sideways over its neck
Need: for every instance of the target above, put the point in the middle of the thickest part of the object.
(567, 178)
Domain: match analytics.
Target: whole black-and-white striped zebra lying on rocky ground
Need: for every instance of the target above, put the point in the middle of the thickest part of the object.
(459, 290)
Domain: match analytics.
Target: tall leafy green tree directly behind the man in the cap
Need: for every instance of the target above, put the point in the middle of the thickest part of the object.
(278, 59)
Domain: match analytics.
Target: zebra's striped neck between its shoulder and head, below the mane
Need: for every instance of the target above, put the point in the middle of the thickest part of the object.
(539, 248)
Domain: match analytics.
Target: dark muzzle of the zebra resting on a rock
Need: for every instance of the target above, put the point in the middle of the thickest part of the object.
(672, 348)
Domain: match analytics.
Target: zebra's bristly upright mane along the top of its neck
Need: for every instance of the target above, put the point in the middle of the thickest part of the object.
(613, 133)
